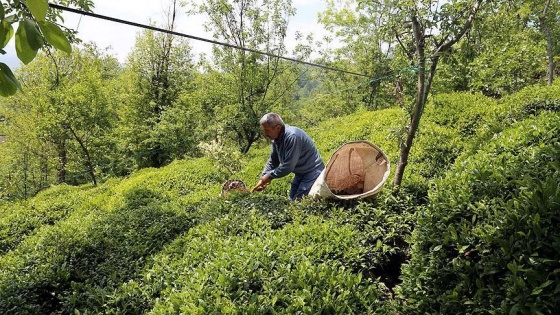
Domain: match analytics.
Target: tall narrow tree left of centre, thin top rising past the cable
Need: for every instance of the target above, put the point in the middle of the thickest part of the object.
(159, 70)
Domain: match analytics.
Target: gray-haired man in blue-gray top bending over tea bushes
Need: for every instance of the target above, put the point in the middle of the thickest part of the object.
(293, 151)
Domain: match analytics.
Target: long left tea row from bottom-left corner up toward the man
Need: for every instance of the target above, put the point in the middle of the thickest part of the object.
(75, 263)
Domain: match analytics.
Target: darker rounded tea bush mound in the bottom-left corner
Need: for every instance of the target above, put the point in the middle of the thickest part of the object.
(60, 266)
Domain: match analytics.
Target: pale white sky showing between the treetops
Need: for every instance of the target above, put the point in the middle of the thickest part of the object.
(120, 38)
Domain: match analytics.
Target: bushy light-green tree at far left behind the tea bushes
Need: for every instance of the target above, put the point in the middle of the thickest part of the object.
(60, 122)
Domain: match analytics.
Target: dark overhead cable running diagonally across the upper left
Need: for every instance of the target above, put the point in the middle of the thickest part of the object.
(153, 28)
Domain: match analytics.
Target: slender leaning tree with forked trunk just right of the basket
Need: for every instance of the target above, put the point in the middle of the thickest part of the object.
(422, 31)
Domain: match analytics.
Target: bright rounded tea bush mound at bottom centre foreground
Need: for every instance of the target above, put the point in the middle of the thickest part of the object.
(238, 264)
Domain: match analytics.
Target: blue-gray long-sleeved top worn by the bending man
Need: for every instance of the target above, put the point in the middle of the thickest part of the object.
(293, 151)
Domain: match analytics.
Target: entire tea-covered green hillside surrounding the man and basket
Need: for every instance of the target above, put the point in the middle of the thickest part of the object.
(474, 228)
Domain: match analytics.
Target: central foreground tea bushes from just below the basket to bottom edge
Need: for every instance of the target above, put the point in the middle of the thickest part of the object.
(265, 255)
